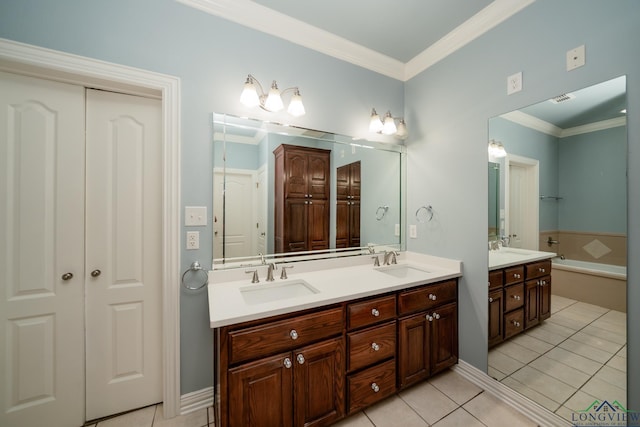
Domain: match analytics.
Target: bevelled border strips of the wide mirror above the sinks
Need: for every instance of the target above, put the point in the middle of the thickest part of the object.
(337, 140)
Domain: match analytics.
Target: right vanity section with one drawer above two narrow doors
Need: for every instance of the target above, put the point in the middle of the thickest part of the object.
(427, 331)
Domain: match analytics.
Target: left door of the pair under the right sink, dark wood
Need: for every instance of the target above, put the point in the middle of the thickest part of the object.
(413, 349)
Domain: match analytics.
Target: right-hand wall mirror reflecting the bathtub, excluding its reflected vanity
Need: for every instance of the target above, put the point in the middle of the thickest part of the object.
(562, 188)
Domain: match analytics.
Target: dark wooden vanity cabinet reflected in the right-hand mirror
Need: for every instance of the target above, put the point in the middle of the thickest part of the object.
(519, 298)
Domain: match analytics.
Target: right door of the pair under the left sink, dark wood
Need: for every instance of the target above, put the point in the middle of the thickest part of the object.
(319, 384)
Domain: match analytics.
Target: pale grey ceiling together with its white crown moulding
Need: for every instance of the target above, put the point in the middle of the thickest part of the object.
(398, 38)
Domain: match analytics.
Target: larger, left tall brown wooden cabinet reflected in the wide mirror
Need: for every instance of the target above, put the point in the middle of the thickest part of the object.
(301, 204)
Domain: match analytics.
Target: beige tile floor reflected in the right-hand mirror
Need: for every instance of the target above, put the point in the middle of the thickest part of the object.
(576, 356)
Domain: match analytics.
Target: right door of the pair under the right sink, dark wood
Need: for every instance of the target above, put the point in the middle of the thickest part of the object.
(444, 338)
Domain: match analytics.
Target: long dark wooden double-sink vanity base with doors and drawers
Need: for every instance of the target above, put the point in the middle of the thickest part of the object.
(313, 367)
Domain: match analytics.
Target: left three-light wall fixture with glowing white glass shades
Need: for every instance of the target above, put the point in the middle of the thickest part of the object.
(271, 101)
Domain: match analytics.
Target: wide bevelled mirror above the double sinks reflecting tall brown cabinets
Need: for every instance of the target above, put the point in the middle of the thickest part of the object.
(289, 192)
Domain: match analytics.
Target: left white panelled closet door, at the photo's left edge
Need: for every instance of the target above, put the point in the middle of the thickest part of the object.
(41, 246)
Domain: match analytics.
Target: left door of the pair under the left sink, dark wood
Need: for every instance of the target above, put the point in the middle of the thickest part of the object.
(260, 393)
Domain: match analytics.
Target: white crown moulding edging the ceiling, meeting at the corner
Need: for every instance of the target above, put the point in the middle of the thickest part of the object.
(261, 18)
